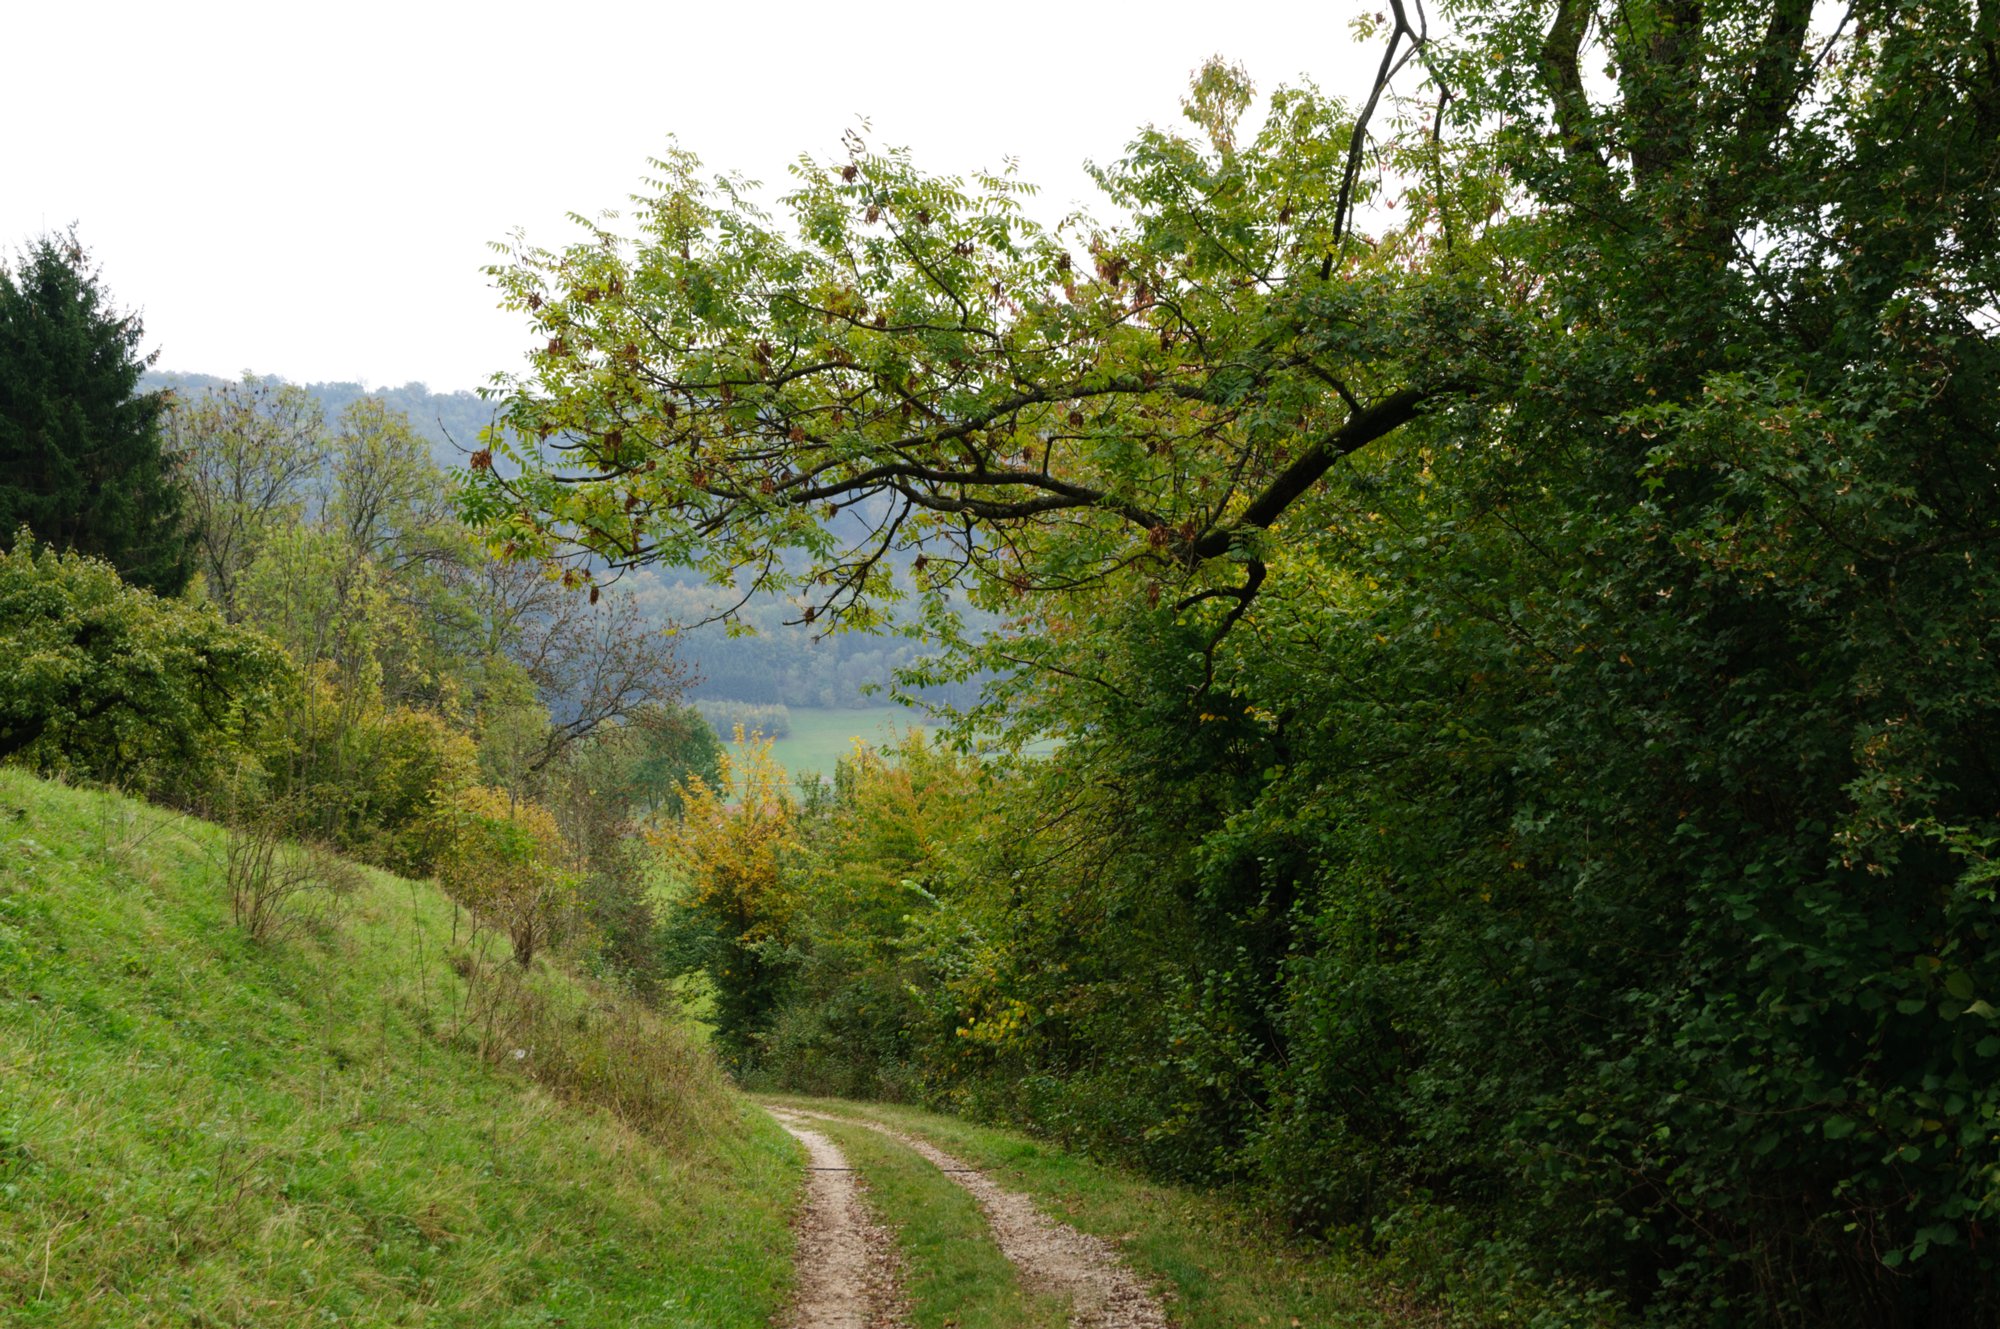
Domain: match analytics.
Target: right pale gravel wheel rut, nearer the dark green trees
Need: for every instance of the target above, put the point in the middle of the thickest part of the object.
(1051, 1256)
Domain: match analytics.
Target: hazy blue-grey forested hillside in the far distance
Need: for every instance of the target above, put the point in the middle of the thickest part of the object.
(781, 663)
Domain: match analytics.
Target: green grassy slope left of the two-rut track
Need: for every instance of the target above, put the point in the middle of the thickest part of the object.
(201, 1130)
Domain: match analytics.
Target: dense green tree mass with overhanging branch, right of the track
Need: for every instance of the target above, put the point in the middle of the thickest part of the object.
(1515, 559)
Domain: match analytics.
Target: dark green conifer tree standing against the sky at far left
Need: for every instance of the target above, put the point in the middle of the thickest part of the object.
(81, 449)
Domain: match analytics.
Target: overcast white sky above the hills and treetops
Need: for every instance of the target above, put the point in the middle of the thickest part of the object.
(309, 191)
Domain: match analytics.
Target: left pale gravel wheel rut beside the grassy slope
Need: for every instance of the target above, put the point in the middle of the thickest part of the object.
(847, 1262)
